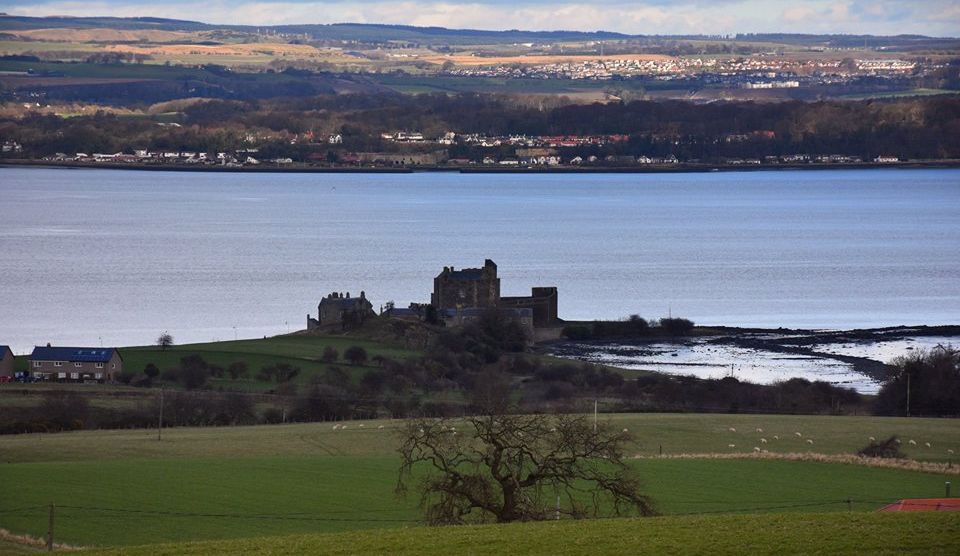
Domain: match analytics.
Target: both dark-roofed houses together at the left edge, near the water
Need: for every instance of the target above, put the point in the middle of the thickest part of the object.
(63, 364)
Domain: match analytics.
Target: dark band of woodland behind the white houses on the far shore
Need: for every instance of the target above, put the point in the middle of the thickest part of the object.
(917, 128)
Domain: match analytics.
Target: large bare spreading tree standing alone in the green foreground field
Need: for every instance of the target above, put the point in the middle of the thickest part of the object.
(502, 467)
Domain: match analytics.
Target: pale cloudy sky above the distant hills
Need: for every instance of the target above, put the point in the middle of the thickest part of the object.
(877, 17)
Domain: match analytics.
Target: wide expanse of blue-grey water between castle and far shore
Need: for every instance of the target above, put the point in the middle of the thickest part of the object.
(90, 256)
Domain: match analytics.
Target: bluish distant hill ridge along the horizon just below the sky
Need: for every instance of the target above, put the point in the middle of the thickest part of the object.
(365, 32)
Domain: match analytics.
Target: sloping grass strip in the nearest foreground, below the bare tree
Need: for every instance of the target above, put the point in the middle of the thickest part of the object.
(765, 534)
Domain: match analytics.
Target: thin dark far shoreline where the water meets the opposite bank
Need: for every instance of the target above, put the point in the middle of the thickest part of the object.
(480, 169)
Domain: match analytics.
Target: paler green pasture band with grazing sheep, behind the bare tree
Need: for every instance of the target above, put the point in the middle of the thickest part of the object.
(677, 433)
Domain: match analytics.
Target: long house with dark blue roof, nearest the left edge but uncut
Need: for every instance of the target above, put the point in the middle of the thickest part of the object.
(75, 364)
